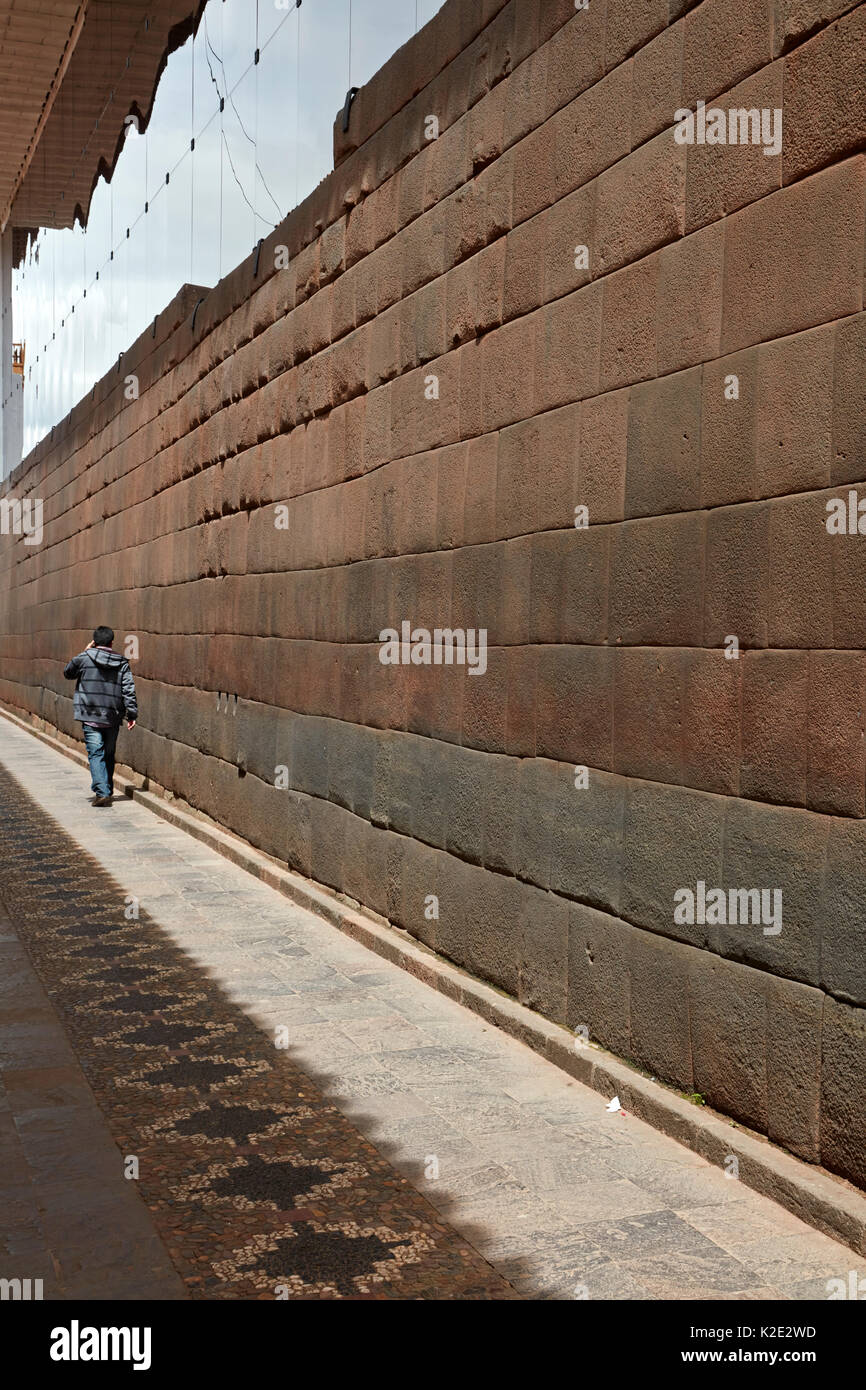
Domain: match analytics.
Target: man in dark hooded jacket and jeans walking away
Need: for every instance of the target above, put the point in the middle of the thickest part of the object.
(105, 694)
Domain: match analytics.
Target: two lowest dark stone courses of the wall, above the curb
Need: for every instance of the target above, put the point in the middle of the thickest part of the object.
(732, 1013)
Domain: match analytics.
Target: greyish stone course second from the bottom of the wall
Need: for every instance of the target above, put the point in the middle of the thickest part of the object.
(619, 844)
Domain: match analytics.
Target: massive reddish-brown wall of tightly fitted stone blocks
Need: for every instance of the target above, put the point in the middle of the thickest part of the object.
(391, 415)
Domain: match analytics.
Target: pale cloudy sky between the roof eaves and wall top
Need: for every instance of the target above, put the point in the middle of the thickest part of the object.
(252, 163)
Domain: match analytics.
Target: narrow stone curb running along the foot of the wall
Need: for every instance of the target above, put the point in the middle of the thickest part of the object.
(829, 1204)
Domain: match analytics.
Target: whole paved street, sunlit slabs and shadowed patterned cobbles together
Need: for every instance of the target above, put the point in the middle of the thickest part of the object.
(397, 1147)
